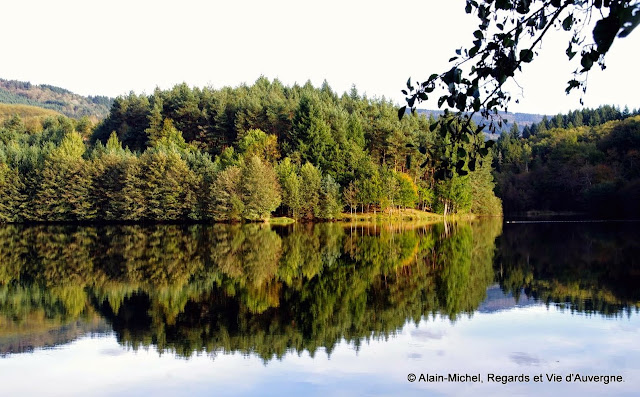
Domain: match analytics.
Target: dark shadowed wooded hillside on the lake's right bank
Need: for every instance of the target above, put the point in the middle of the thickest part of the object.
(591, 169)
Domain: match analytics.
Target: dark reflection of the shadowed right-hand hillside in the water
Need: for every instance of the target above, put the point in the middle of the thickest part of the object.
(590, 268)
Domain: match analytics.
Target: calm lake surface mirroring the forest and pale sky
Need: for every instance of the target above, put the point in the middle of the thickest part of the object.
(320, 310)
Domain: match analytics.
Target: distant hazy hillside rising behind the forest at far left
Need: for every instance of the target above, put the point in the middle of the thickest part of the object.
(55, 98)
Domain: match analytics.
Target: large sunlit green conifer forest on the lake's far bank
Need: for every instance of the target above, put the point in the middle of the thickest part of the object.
(228, 155)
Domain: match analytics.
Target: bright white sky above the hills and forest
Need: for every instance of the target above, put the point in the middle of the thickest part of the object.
(114, 47)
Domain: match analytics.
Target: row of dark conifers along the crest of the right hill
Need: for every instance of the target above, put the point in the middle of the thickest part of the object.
(579, 118)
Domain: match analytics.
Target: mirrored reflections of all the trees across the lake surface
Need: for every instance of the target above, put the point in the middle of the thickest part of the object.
(256, 289)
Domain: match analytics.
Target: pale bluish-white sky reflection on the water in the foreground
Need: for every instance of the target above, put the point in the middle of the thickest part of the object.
(529, 340)
